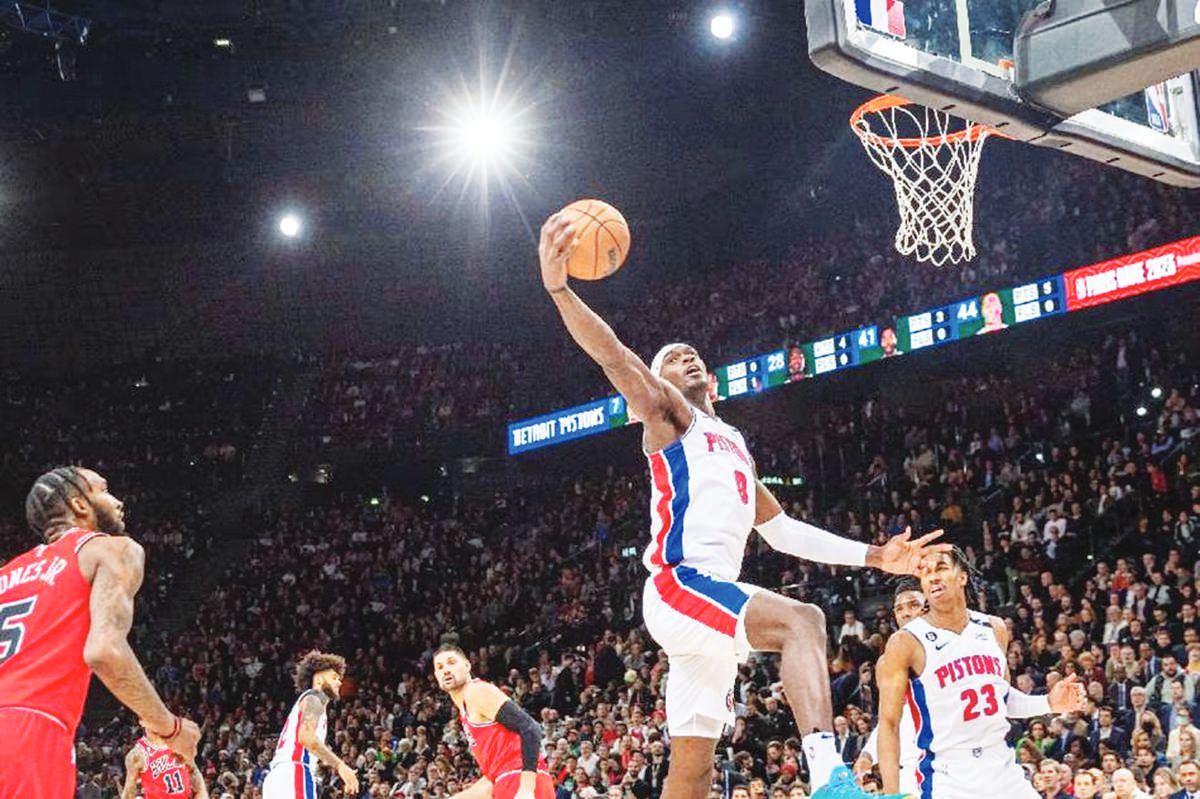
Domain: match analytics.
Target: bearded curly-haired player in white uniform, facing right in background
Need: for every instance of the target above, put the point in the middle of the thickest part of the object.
(319, 678)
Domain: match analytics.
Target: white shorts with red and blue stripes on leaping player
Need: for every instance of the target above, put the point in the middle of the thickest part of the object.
(700, 623)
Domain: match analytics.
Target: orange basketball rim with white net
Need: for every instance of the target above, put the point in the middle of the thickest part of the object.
(933, 160)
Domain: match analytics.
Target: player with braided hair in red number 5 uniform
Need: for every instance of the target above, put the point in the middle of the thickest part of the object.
(67, 608)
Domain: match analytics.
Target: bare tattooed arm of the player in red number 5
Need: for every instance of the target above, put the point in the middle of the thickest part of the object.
(115, 567)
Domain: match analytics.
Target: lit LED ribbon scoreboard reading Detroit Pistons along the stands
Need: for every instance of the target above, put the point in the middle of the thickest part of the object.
(1087, 287)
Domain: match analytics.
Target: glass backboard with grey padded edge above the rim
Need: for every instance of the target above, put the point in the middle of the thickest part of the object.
(958, 56)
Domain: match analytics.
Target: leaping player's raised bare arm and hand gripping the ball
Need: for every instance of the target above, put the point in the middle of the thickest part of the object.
(653, 400)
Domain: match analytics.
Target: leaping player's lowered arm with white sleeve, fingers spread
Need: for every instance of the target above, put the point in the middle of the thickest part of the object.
(899, 556)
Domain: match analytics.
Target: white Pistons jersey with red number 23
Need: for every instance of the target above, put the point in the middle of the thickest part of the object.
(959, 701)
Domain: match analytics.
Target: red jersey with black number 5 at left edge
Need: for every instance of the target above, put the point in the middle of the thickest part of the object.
(45, 620)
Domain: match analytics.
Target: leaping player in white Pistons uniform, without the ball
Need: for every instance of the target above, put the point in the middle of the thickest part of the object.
(705, 498)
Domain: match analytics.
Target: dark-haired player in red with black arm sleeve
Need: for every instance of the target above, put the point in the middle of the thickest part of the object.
(505, 740)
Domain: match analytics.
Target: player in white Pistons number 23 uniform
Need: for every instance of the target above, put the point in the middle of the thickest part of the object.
(949, 668)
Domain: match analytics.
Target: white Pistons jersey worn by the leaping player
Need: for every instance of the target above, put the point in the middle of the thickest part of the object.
(703, 501)
